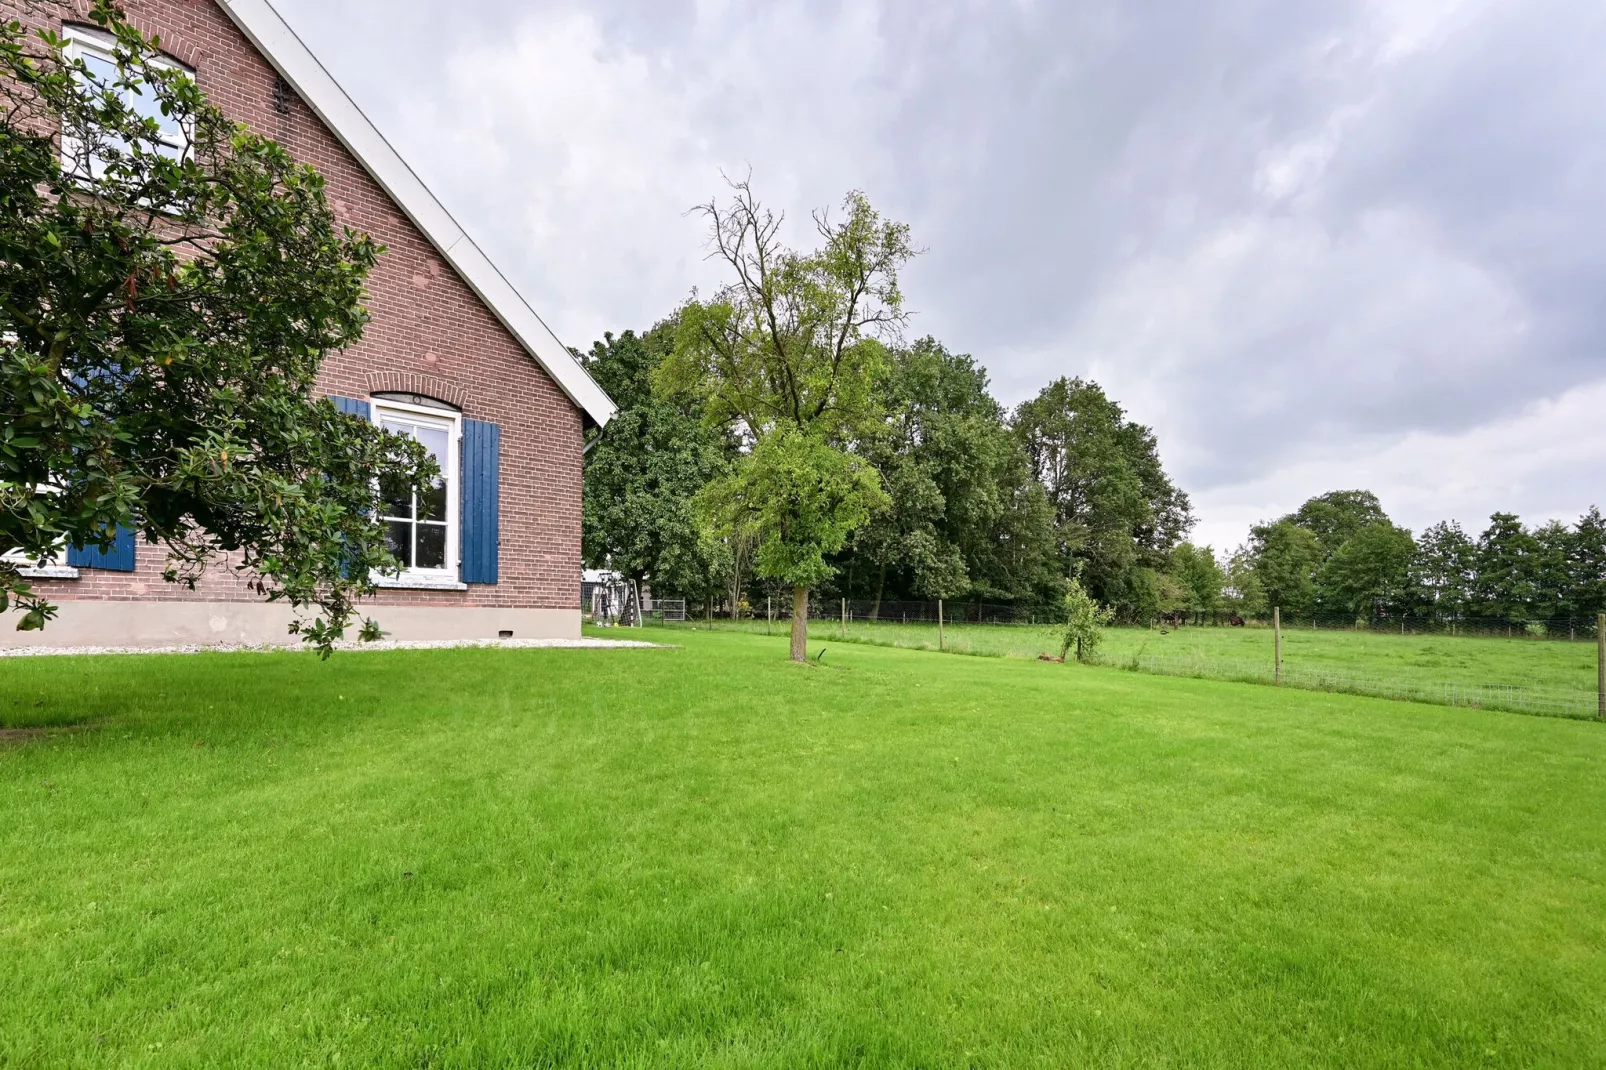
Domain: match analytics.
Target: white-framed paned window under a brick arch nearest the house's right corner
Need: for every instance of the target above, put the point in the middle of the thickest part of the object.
(425, 528)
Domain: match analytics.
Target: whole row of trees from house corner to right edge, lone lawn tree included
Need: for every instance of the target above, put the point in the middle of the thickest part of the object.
(781, 439)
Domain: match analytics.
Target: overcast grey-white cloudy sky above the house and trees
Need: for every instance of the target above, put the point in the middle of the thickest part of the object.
(1316, 245)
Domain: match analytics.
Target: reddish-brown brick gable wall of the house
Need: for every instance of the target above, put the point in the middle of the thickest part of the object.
(430, 335)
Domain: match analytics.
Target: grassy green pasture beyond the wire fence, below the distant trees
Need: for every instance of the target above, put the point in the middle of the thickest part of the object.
(1549, 668)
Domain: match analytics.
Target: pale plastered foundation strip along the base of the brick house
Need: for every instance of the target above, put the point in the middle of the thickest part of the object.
(261, 624)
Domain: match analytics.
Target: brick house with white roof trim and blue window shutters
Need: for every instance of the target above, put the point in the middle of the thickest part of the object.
(452, 356)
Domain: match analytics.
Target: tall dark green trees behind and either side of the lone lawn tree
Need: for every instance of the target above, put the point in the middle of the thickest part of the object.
(982, 504)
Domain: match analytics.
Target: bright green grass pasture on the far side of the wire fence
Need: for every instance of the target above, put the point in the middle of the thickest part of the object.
(1552, 676)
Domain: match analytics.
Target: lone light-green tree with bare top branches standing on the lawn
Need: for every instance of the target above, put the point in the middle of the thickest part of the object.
(788, 356)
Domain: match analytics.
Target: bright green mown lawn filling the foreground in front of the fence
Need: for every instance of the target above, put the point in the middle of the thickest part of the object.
(712, 857)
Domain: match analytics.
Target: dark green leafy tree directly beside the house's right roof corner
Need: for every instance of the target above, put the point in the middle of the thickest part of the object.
(646, 468)
